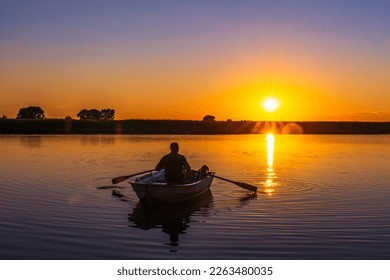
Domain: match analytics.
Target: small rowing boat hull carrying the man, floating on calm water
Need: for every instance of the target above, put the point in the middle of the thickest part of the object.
(154, 186)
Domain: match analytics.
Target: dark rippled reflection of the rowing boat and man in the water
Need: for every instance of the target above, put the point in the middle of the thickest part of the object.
(173, 218)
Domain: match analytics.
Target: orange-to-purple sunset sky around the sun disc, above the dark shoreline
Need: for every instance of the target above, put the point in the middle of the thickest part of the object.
(184, 59)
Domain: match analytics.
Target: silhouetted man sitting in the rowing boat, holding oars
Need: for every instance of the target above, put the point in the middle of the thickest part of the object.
(175, 165)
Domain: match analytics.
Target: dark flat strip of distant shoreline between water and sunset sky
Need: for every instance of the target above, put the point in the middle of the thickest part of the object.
(62, 126)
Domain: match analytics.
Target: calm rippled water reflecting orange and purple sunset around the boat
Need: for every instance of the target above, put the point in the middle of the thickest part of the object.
(322, 197)
